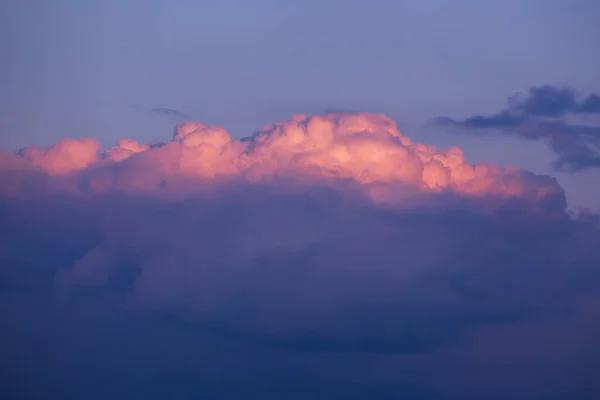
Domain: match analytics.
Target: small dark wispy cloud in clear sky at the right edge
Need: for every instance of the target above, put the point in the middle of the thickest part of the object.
(559, 115)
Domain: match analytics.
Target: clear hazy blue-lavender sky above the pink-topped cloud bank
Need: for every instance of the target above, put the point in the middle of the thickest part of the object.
(98, 68)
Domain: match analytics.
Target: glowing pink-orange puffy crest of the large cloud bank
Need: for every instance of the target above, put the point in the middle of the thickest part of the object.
(366, 149)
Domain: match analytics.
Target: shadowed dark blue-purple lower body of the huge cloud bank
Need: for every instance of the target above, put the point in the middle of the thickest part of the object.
(256, 291)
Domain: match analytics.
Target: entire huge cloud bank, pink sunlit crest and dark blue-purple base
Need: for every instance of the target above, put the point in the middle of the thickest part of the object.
(325, 256)
